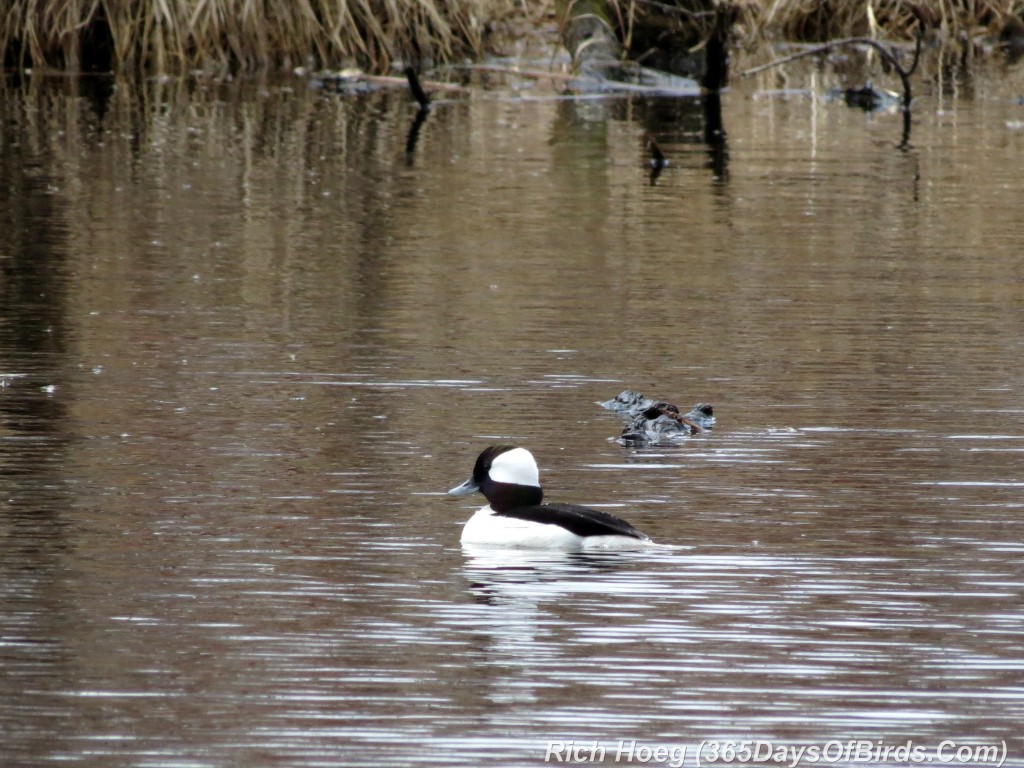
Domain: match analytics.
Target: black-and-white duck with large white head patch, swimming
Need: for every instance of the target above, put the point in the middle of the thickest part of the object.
(515, 517)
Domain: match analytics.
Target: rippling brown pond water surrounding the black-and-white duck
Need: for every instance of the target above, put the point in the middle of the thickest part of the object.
(247, 343)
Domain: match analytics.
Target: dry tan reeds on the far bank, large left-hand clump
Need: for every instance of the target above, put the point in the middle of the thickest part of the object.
(220, 36)
